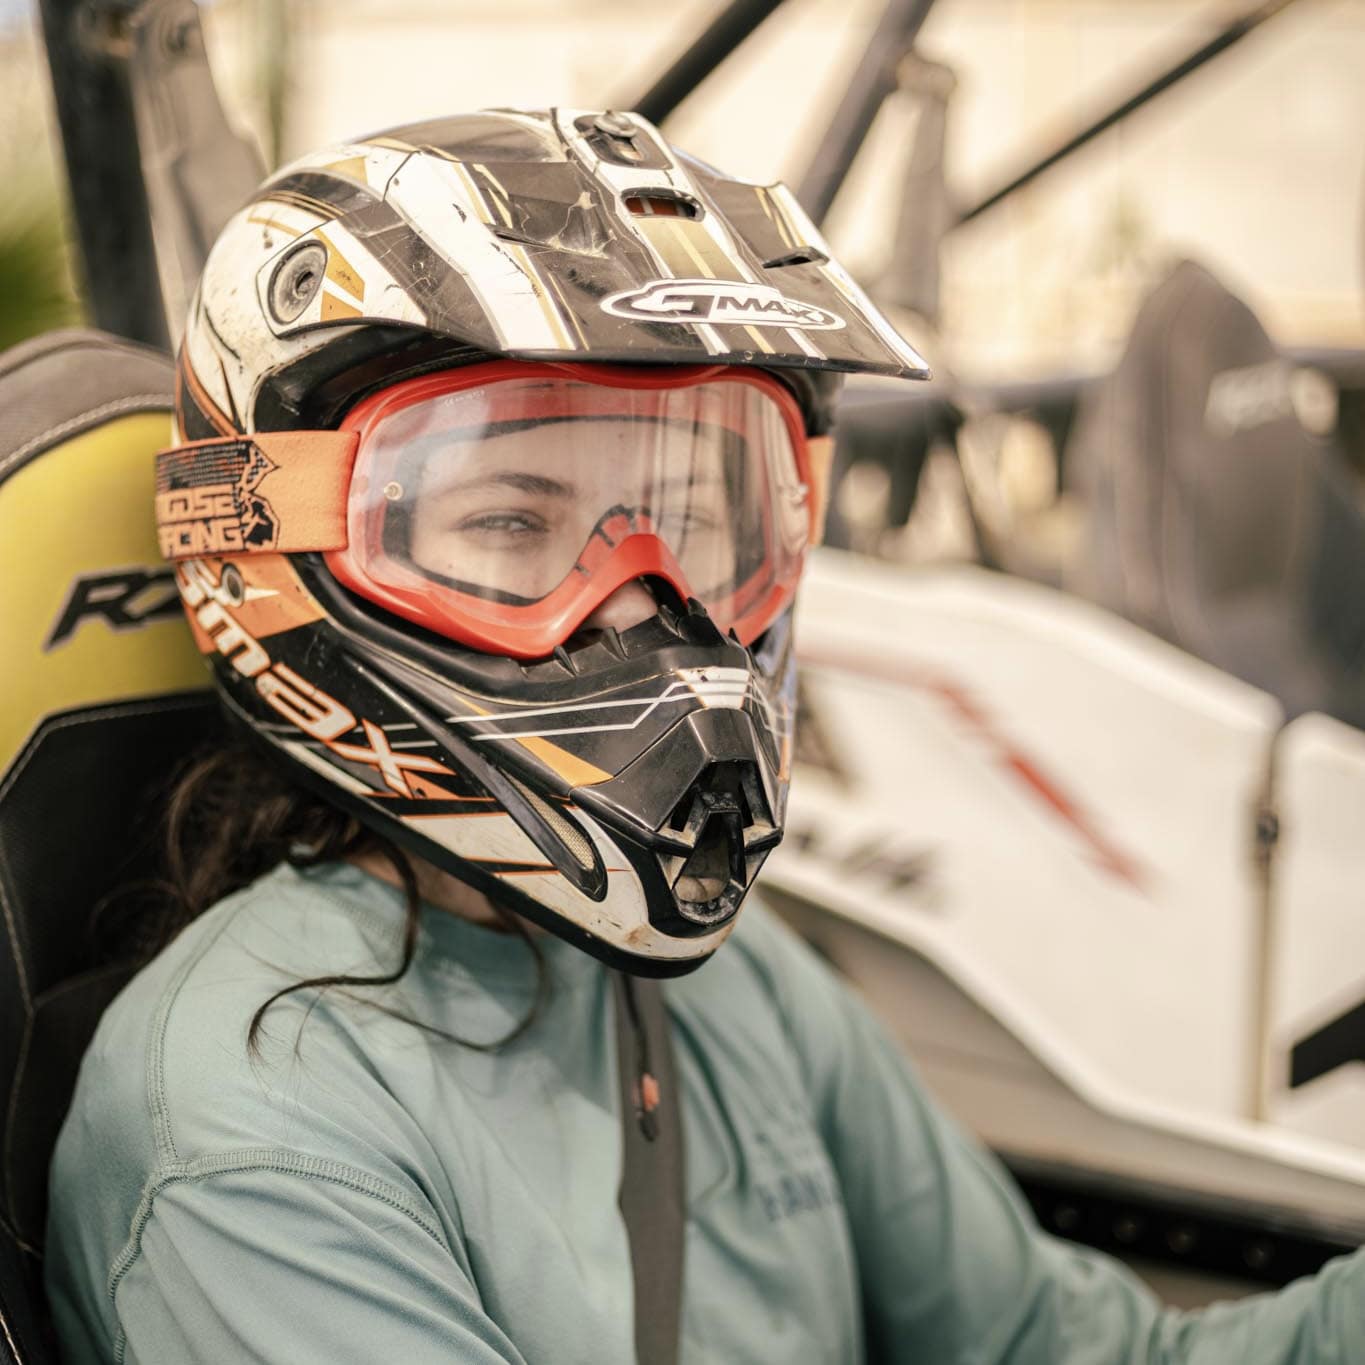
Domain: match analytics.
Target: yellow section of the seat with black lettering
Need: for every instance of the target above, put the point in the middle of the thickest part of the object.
(78, 513)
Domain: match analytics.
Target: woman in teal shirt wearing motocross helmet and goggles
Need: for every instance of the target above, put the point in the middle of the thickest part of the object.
(503, 443)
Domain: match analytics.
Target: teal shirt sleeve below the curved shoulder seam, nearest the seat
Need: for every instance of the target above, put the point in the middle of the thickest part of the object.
(281, 1267)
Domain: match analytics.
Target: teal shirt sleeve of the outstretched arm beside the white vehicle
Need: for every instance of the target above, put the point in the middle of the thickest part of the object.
(955, 1269)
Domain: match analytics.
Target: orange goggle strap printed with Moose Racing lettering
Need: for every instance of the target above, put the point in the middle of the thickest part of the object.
(276, 493)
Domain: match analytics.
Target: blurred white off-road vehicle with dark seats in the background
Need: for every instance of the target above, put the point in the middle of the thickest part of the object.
(1116, 857)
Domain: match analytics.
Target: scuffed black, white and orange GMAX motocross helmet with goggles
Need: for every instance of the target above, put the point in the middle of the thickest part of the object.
(442, 394)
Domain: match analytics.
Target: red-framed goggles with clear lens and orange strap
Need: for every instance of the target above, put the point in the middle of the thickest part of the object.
(500, 504)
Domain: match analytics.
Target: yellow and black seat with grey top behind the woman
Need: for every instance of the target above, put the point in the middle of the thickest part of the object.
(104, 694)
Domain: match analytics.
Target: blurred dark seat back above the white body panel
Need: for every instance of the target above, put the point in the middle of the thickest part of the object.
(1216, 519)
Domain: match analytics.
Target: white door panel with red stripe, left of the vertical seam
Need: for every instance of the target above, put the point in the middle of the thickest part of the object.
(1082, 798)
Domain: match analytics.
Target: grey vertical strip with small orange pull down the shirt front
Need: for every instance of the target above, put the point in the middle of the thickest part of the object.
(653, 1199)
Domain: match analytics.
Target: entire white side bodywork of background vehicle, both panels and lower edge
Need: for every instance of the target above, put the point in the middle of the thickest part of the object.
(1029, 832)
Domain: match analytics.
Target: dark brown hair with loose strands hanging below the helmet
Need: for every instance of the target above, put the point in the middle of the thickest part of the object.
(242, 814)
